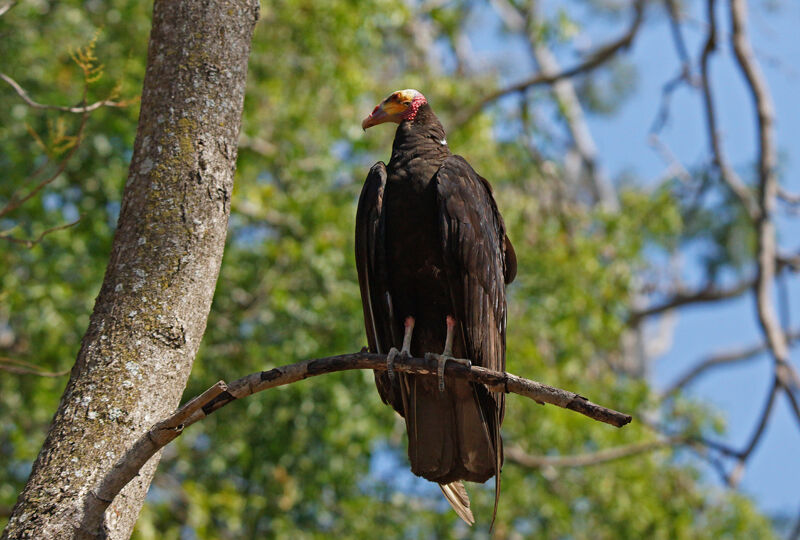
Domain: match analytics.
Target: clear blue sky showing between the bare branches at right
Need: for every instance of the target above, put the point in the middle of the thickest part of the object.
(772, 474)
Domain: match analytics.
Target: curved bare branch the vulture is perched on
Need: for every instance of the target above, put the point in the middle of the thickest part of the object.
(222, 394)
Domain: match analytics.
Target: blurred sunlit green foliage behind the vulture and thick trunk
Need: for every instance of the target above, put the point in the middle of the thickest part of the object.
(324, 457)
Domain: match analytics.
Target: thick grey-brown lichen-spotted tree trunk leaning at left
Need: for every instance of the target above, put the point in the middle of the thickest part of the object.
(153, 306)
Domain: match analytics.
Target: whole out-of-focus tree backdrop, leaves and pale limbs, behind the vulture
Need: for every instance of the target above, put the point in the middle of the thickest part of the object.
(325, 458)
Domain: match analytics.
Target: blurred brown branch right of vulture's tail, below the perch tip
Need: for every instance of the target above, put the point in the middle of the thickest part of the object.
(518, 455)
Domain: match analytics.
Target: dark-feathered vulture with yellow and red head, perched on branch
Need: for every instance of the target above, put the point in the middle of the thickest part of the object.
(433, 263)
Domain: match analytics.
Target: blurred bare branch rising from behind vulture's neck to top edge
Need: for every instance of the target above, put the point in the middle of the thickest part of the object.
(594, 60)
